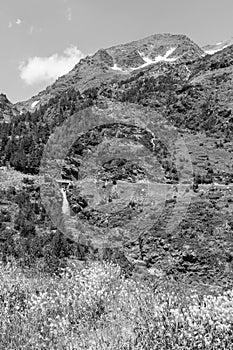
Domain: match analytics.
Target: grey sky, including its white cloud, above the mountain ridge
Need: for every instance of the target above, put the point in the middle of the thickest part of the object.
(43, 39)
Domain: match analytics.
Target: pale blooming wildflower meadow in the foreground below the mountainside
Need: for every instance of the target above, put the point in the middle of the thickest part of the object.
(94, 306)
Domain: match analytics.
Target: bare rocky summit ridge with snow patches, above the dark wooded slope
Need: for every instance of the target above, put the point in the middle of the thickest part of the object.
(117, 63)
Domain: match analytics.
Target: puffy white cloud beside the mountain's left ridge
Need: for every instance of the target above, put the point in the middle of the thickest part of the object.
(48, 69)
